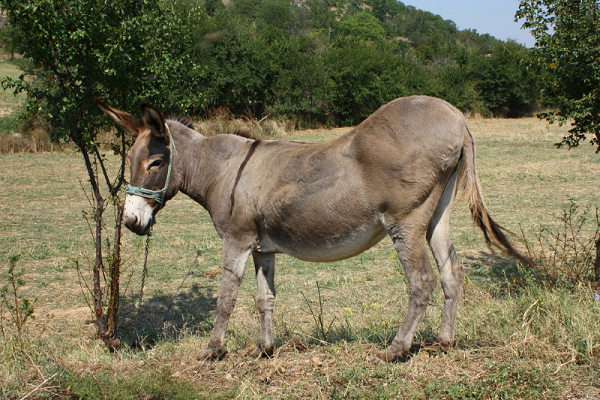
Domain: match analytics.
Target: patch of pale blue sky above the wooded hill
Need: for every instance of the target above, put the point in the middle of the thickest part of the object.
(495, 17)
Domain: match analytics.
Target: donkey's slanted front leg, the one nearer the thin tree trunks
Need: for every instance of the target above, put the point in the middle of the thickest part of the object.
(234, 263)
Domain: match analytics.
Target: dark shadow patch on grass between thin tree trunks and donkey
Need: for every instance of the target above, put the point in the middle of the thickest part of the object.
(166, 316)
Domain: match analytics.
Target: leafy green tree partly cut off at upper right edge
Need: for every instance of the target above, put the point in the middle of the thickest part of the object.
(567, 48)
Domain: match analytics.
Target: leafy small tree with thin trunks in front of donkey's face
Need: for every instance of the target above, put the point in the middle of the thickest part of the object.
(75, 50)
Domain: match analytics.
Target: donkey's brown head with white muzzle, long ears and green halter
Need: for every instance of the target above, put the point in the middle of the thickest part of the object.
(150, 162)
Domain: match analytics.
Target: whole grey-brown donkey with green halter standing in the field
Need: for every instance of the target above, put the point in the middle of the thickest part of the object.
(397, 173)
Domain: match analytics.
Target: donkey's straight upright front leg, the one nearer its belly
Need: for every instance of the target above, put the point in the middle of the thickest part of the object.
(264, 265)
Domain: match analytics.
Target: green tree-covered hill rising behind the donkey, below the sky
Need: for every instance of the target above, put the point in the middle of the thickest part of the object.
(337, 61)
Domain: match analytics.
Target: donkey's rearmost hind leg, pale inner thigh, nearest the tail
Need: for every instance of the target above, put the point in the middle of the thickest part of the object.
(451, 272)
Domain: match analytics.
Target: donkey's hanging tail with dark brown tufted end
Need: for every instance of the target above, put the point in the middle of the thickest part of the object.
(494, 233)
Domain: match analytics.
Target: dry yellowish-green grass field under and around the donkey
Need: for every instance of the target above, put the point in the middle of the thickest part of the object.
(512, 341)
